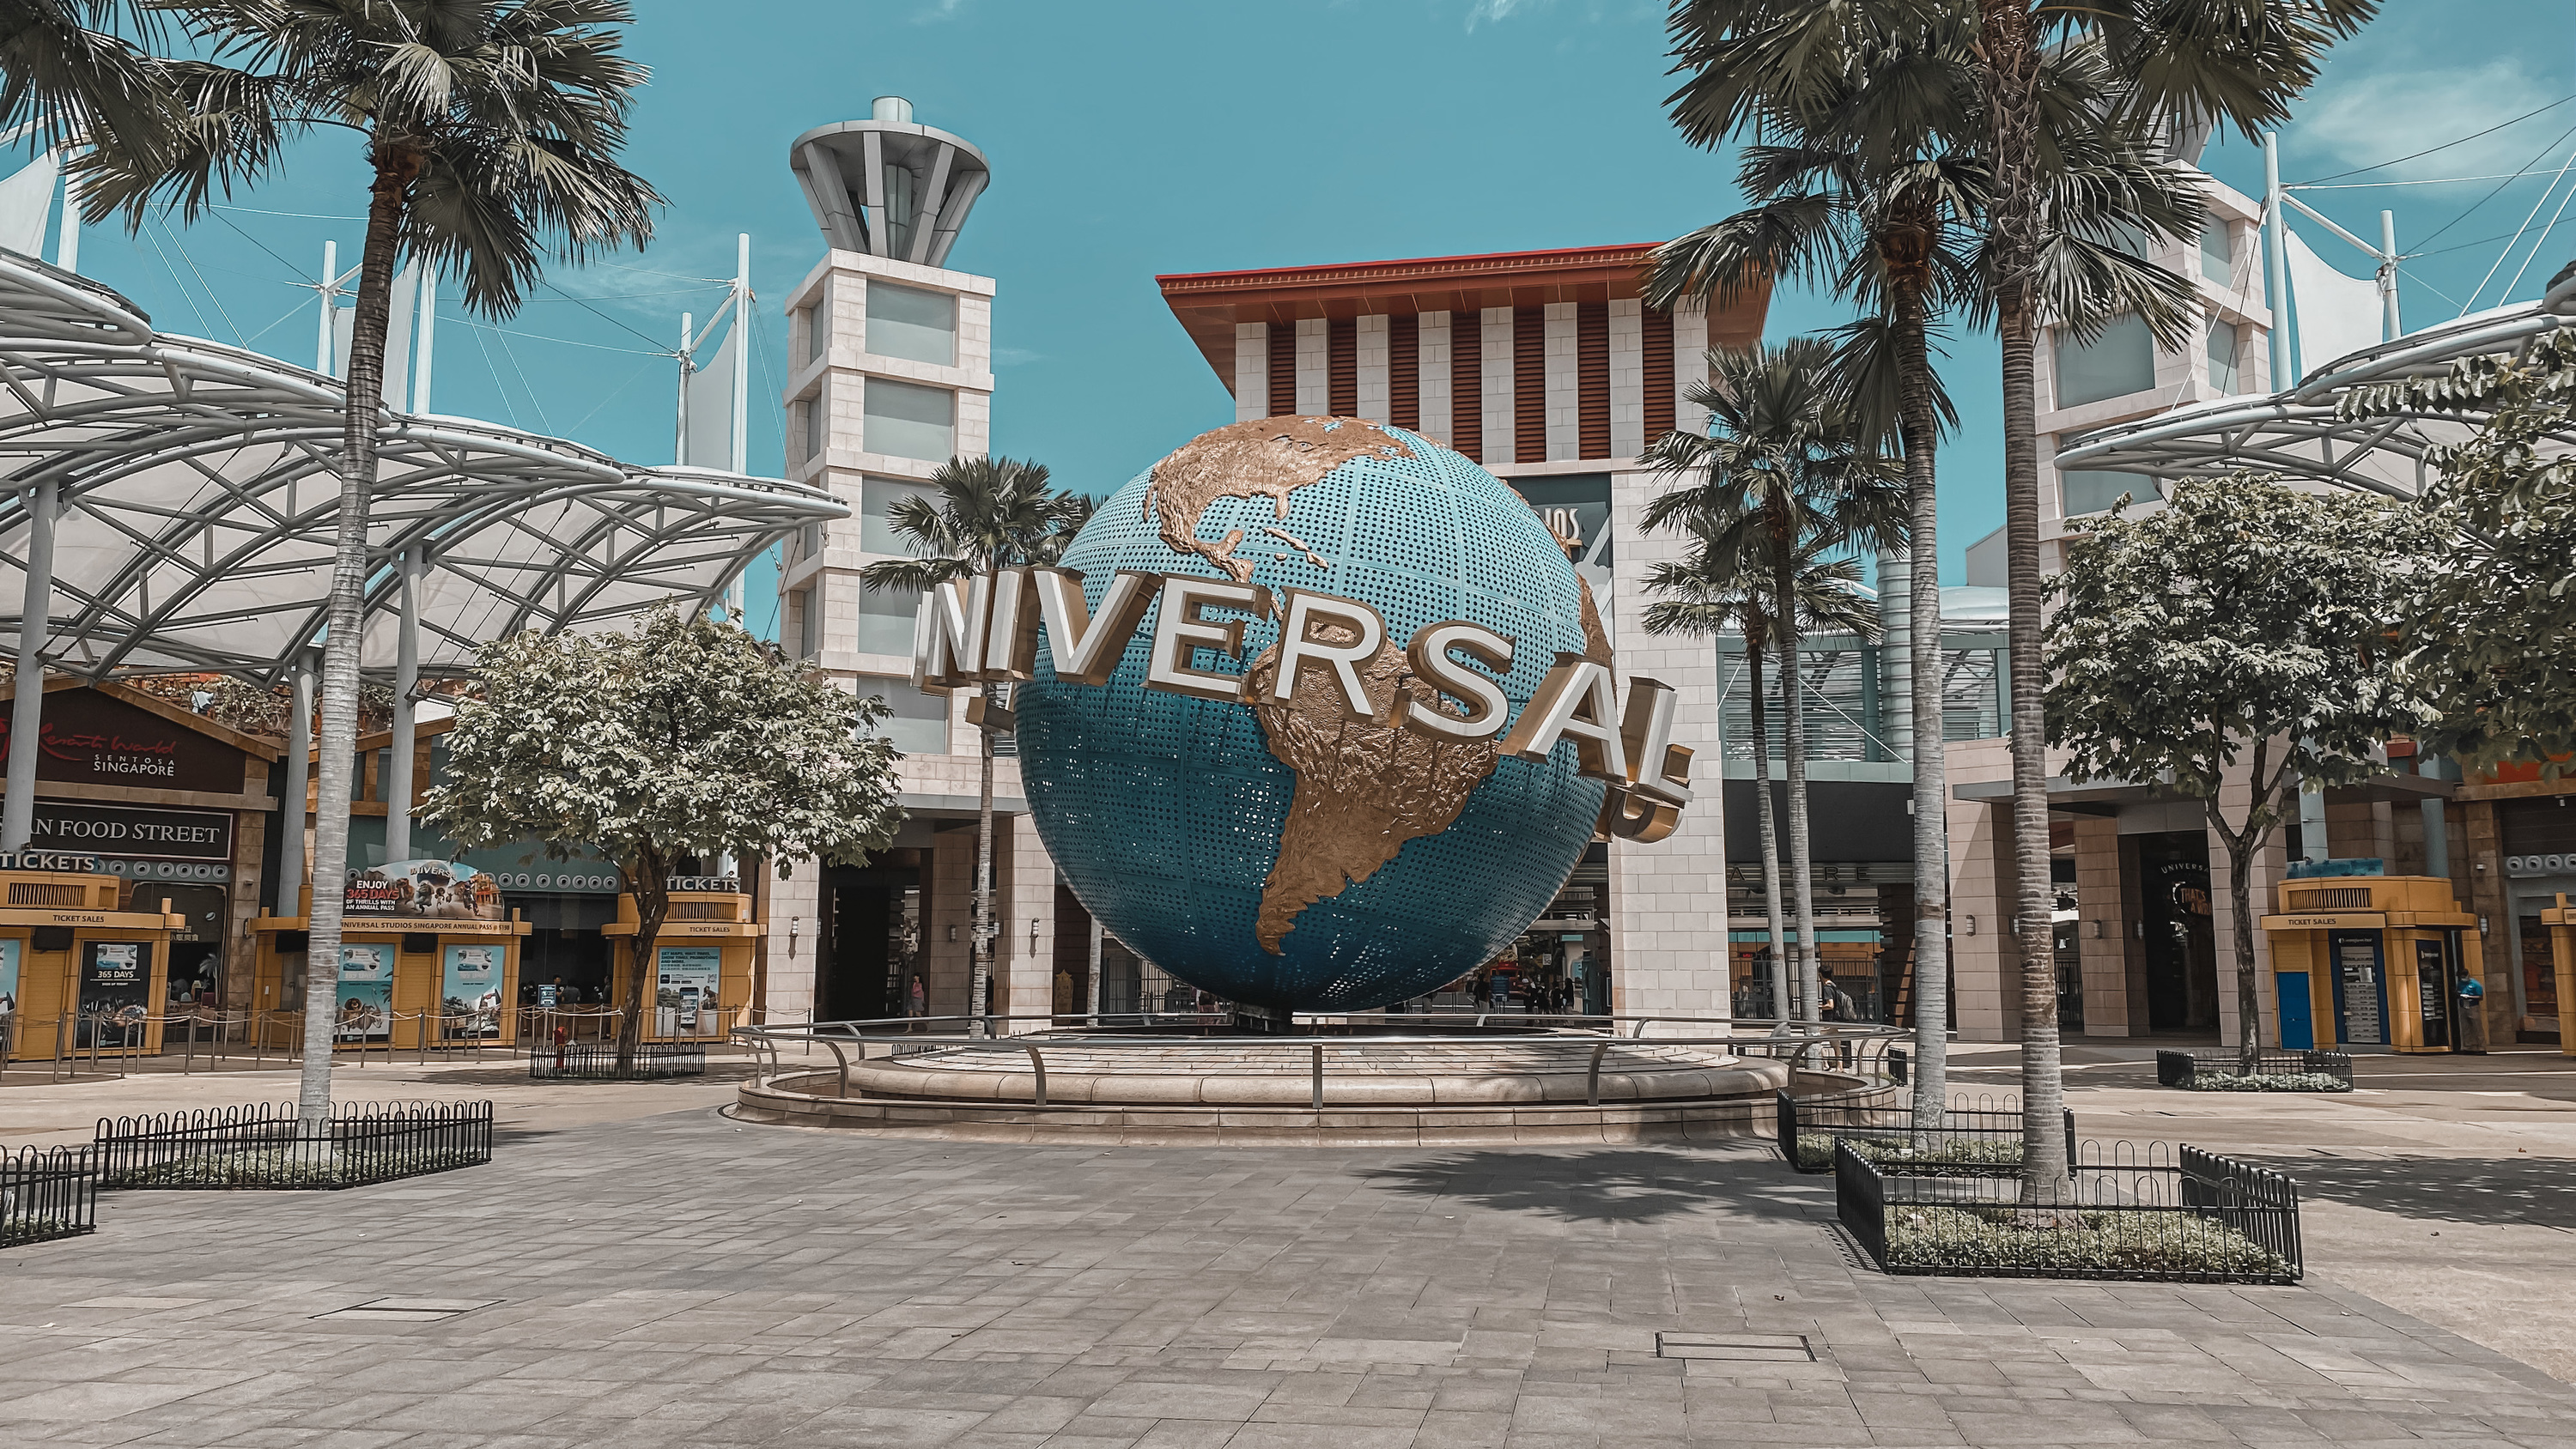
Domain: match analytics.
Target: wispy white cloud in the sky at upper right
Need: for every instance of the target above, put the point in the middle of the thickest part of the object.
(2394, 115)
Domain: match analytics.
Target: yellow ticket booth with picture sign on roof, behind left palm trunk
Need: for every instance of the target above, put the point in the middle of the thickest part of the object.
(429, 956)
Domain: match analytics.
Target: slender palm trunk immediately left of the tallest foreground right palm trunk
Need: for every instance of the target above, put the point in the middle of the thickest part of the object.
(1920, 429)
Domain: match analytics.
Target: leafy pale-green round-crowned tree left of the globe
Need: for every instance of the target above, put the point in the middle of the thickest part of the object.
(679, 740)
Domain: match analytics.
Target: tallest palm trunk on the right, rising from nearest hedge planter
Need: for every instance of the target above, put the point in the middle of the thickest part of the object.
(2008, 45)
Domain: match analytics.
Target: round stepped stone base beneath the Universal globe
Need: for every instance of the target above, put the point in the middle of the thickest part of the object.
(1264, 1090)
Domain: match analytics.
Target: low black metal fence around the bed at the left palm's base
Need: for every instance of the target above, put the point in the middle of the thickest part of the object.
(267, 1147)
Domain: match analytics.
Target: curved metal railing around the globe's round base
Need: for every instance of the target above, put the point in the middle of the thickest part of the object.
(1859, 1051)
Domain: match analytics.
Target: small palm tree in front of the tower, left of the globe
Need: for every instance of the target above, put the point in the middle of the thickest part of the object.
(988, 516)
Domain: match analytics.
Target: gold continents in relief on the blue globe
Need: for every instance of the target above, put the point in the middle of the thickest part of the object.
(1361, 786)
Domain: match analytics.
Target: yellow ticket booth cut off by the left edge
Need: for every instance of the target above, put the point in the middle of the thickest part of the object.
(76, 972)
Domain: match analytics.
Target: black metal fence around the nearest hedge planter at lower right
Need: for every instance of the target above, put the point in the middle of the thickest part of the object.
(2199, 1219)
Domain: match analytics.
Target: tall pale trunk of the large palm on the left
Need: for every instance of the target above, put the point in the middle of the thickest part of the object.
(339, 737)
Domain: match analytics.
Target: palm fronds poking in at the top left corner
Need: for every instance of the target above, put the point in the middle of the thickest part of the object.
(71, 78)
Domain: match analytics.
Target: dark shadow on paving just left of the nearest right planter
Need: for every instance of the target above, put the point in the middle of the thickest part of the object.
(1614, 1185)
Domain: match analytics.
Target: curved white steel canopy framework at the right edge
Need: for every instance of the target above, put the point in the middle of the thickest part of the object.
(2299, 434)
